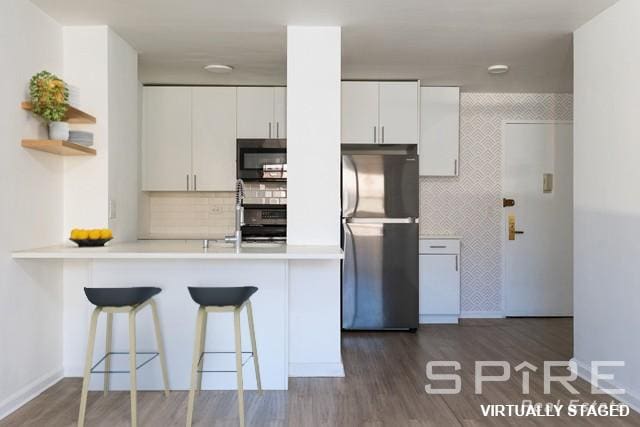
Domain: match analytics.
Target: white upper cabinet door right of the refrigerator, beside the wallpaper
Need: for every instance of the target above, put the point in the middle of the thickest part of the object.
(440, 130)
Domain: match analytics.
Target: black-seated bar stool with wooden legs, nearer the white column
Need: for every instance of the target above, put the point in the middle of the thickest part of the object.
(223, 299)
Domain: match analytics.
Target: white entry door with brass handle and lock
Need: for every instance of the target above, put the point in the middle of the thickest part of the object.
(539, 255)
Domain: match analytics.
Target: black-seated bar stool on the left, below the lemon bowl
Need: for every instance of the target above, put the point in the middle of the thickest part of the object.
(121, 300)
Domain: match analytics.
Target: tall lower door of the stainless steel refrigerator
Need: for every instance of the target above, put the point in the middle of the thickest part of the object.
(380, 276)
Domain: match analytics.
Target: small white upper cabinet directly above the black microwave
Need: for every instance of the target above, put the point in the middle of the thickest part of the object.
(261, 112)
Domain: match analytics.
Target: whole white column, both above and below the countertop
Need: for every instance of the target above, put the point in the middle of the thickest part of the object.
(313, 191)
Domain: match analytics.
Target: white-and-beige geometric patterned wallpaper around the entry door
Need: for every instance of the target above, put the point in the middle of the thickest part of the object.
(470, 205)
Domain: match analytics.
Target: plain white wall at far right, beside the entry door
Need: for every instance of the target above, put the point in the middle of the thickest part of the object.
(607, 193)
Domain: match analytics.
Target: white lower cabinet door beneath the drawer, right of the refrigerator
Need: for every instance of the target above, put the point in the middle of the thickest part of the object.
(439, 284)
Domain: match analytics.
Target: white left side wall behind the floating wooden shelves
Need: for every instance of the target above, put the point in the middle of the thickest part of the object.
(31, 187)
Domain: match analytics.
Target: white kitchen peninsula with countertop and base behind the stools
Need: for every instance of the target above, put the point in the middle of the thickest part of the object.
(297, 307)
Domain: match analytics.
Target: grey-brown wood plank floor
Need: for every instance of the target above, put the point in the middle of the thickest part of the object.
(384, 386)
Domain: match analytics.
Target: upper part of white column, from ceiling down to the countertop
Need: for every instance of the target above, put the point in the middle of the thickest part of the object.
(313, 135)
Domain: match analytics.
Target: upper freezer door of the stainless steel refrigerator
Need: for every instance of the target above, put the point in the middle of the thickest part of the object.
(379, 186)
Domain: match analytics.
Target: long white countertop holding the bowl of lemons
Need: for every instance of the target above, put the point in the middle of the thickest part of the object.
(162, 249)
